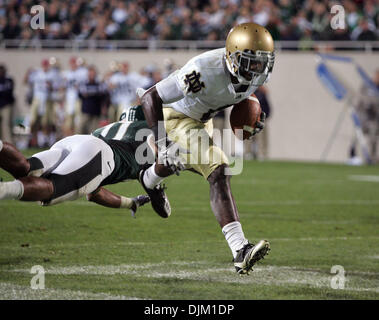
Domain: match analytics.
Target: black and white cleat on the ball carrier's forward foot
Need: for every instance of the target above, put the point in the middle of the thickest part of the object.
(249, 255)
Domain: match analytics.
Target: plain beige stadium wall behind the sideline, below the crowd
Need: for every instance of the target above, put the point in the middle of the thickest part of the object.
(304, 112)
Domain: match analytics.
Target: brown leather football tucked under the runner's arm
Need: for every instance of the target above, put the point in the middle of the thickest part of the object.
(245, 115)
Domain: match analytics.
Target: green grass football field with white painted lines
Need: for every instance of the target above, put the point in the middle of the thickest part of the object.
(315, 216)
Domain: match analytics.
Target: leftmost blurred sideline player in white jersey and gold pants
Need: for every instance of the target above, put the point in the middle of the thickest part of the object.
(42, 107)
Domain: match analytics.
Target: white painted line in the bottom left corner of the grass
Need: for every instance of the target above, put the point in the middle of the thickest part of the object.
(9, 291)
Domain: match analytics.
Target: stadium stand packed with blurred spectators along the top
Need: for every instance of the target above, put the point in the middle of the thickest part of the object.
(186, 20)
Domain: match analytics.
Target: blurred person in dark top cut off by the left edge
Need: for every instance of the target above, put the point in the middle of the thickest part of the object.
(6, 103)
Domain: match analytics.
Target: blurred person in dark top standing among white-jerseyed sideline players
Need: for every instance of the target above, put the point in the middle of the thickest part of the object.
(93, 94)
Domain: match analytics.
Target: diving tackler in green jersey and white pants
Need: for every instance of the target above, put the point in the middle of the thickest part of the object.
(79, 165)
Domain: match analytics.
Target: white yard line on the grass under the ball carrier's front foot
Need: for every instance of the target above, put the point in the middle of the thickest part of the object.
(200, 271)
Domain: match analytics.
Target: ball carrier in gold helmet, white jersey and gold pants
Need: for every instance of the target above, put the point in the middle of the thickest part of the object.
(185, 103)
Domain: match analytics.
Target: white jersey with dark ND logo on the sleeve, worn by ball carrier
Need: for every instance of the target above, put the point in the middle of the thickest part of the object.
(202, 87)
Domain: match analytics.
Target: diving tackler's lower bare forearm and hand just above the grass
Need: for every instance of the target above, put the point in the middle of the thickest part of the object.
(109, 199)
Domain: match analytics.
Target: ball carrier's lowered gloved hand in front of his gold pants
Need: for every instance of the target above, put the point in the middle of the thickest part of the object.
(169, 155)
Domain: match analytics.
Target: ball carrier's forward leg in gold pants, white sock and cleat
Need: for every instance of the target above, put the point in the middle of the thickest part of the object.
(208, 159)
